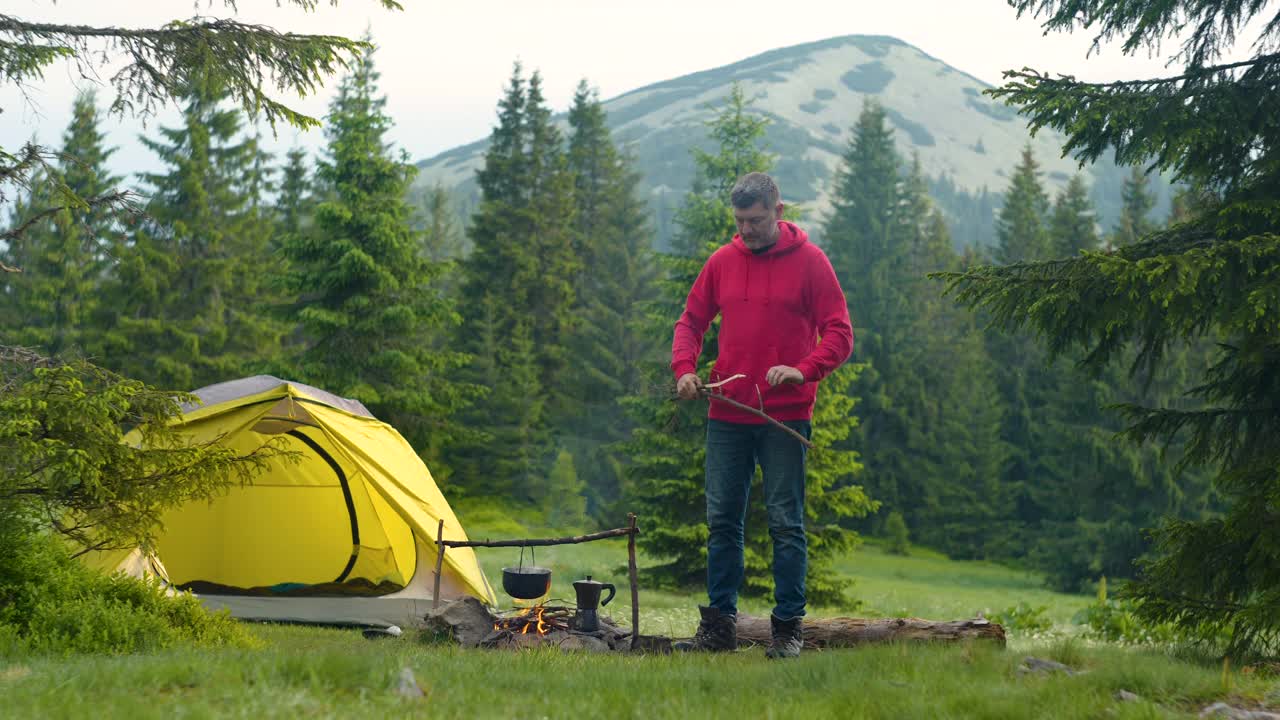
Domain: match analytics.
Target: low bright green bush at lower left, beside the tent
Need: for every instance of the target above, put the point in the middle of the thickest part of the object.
(53, 604)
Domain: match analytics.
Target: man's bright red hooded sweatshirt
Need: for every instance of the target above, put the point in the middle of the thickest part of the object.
(774, 308)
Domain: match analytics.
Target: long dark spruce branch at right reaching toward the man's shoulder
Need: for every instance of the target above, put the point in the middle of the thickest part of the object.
(1151, 293)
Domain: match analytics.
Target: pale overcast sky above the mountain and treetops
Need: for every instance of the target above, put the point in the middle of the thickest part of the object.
(445, 63)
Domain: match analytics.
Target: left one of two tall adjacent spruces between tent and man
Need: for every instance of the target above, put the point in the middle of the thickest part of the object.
(518, 295)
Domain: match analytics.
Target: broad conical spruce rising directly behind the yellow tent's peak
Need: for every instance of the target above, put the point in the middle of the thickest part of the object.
(185, 304)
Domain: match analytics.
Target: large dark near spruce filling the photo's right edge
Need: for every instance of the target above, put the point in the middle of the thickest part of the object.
(1213, 276)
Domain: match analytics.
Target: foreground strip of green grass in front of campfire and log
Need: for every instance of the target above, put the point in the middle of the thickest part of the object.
(330, 673)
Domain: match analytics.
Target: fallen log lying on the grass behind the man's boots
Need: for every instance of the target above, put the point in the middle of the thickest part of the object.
(847, 632)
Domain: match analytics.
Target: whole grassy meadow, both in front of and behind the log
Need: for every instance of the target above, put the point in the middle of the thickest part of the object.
(301, 672)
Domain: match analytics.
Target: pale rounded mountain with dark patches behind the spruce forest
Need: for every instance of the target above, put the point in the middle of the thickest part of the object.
(813, 94)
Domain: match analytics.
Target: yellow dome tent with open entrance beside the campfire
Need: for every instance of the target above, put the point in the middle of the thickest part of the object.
(342, 532)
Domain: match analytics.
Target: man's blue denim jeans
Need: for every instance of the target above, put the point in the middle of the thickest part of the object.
(733, 453)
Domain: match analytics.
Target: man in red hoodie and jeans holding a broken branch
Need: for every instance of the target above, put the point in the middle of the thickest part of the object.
(776, 295)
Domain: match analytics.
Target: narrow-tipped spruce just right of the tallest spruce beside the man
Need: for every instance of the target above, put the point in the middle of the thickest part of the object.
(950, 412)
